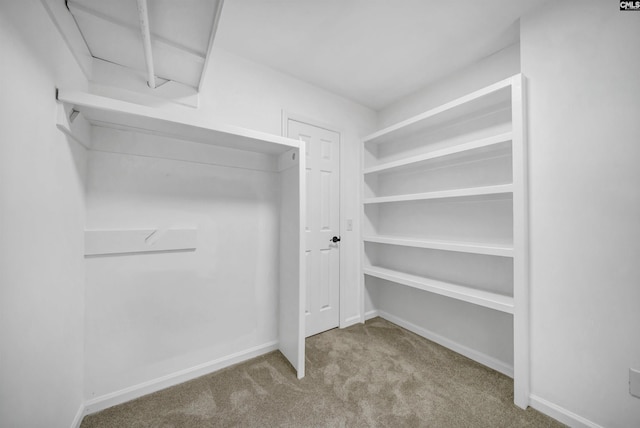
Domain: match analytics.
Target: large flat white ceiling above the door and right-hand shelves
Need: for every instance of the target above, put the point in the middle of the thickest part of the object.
(371, 51)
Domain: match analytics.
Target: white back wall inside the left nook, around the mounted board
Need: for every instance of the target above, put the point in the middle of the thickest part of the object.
(151, 315)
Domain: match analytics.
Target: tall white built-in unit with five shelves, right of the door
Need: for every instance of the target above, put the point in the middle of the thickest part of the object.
(446, 183)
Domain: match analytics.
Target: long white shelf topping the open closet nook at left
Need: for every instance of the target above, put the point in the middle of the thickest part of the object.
(103, 111)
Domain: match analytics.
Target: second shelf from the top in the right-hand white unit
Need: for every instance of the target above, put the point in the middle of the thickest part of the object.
(460, 150)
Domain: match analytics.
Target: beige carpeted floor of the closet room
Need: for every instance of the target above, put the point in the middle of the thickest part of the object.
(372, 375)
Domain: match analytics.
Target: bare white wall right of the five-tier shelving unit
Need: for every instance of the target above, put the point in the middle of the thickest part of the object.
(582, 63)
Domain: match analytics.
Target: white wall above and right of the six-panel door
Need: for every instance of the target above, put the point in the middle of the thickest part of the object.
(243, 93)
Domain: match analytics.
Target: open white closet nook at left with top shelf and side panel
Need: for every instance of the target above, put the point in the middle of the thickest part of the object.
(174, 205)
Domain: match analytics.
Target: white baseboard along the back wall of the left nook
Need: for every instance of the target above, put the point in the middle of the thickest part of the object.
(118, 397)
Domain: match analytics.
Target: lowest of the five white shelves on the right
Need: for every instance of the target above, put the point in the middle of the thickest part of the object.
(483, 298)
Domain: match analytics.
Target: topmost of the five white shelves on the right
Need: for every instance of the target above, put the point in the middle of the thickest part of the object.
(490, 98)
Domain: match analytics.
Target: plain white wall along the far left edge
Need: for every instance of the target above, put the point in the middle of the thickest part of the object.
(41, 224)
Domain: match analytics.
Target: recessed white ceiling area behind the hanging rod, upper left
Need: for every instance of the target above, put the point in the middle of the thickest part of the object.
(180, 34)
